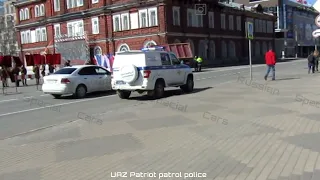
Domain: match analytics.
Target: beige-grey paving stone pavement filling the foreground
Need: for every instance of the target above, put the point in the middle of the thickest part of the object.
(236, 131)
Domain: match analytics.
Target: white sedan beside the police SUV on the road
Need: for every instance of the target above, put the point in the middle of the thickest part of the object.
(77, 80)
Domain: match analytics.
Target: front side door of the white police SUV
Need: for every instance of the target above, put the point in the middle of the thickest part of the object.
(178, 71)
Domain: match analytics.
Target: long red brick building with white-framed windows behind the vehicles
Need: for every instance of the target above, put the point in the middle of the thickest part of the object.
(216, 31)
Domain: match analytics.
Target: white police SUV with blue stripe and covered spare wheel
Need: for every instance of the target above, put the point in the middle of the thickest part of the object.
(149, 70)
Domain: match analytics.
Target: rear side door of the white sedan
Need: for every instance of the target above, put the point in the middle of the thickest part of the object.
(89, 77)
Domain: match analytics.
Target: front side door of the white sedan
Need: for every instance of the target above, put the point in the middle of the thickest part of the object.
(104, 81)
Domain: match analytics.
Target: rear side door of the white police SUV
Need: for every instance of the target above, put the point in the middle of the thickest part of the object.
(167, 70)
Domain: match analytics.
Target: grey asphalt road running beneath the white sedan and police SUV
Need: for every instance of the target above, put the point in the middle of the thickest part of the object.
(30, 110)
